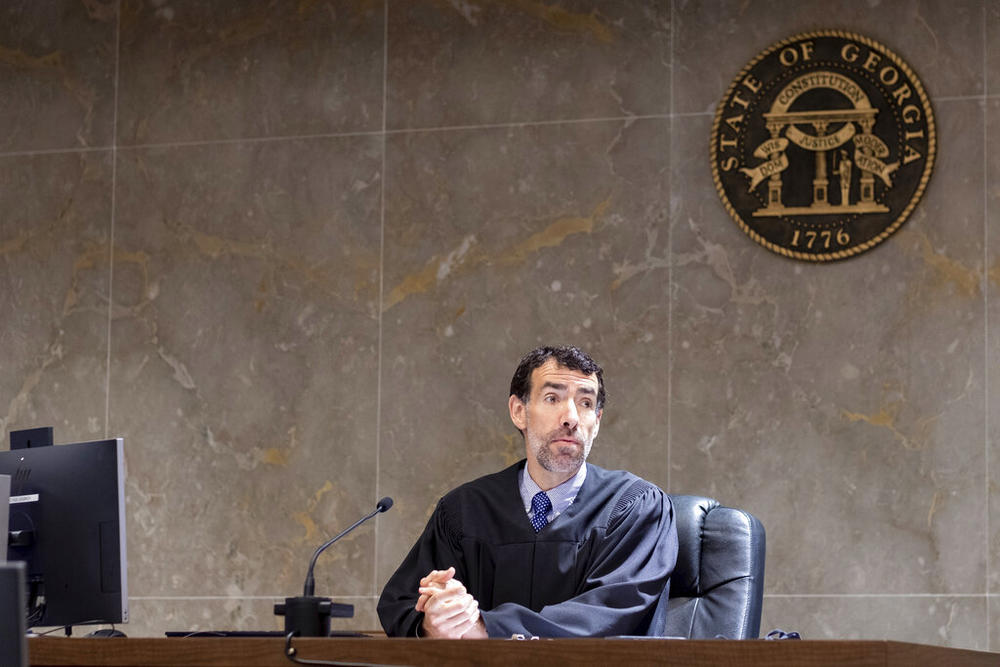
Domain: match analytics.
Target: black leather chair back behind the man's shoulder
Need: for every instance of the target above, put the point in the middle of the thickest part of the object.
(717, 587)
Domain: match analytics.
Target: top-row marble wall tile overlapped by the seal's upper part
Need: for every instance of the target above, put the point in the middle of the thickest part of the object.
(714, 40)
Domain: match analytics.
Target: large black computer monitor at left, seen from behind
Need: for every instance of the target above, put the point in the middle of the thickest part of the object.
(67, 523)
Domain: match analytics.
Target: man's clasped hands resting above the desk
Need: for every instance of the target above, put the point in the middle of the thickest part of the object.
(449, 611)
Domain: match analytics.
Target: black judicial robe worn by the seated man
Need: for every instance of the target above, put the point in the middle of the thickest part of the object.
(598, 569)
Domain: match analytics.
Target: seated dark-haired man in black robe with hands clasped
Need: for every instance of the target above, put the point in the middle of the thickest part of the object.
(550, 547)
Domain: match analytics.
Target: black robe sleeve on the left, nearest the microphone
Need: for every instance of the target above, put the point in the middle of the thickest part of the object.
(436, 545)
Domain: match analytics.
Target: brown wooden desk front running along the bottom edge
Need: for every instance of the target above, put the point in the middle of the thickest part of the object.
(269, 652)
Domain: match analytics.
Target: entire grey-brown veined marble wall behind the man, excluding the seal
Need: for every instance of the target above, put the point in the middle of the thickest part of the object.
(292, 252)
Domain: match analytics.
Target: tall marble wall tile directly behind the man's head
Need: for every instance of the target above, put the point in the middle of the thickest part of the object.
(497, 241)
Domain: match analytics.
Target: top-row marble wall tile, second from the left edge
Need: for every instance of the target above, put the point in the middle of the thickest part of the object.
(194, 71)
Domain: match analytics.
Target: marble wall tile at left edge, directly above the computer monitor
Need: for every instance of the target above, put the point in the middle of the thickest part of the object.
(54, 281)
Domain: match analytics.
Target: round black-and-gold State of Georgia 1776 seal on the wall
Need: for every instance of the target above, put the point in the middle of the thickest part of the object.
(823, 145)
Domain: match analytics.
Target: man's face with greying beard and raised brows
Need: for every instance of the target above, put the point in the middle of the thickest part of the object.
(559, 421)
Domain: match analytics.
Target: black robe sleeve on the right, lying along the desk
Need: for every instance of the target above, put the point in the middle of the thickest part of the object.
(629, 569)
